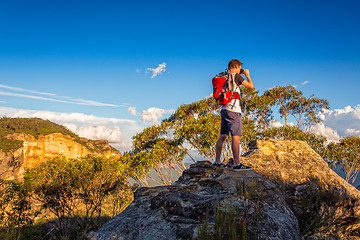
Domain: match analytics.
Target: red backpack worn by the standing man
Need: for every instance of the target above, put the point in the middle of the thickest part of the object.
(223, 90)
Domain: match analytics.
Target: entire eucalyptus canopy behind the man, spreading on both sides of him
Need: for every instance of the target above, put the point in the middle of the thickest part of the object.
(195, 127)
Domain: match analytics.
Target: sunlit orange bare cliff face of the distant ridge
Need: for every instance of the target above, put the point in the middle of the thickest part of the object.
(37, 150)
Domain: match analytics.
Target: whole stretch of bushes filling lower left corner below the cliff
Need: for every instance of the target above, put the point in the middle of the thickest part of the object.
(75, 195)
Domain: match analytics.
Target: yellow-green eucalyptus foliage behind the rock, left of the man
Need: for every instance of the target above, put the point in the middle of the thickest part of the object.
(162, 147)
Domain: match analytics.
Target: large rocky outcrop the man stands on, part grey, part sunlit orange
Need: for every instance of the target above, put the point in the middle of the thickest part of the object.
(290, 193)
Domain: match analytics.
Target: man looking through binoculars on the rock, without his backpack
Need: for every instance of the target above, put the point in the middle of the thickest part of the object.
(231, 123)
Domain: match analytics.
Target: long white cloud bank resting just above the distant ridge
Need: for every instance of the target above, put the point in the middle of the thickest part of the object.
(118, 132)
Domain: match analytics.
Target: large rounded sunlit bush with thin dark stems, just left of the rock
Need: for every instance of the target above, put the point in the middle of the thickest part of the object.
(79, 192)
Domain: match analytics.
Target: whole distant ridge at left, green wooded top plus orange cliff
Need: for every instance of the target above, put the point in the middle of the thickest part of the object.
(29, 141)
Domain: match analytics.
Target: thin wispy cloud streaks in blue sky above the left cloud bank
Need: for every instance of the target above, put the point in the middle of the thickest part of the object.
(53, 97)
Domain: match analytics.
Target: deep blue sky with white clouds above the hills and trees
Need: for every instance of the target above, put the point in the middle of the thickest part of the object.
(90, 64)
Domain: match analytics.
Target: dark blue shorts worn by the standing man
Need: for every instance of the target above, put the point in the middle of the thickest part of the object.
(231, 123)
